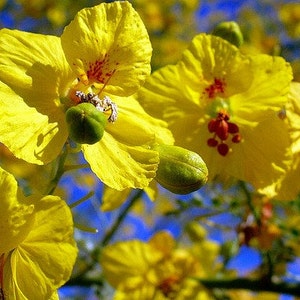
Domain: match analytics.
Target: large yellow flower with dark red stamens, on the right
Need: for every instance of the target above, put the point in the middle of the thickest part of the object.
(223, 105)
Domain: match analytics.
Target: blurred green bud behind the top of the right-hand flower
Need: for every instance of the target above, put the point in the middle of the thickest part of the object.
(229, 31)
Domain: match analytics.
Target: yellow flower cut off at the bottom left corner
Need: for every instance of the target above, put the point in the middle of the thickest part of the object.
(36, 243)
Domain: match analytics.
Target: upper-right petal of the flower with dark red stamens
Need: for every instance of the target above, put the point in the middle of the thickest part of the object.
(268, 91)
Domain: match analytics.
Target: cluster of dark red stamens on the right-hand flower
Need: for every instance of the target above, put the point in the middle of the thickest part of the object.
(222, 129)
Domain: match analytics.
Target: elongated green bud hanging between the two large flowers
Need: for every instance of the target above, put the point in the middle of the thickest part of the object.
(180, 171)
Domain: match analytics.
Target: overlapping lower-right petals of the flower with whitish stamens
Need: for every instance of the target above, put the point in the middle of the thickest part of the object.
(123, 158)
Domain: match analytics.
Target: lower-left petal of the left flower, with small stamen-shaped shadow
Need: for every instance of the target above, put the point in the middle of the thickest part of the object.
(30, 135)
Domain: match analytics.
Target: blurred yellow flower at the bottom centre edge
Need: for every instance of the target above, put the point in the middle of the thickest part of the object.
(152, 270)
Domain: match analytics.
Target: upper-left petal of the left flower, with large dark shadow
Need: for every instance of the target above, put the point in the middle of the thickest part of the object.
(34, 63)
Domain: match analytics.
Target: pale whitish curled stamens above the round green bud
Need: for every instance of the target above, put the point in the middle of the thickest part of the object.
(103, 105)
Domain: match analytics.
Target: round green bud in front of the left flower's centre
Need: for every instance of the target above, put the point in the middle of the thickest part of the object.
(85, 123)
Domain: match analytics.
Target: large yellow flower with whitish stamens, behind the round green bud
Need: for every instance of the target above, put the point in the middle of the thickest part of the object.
(104, 51)
